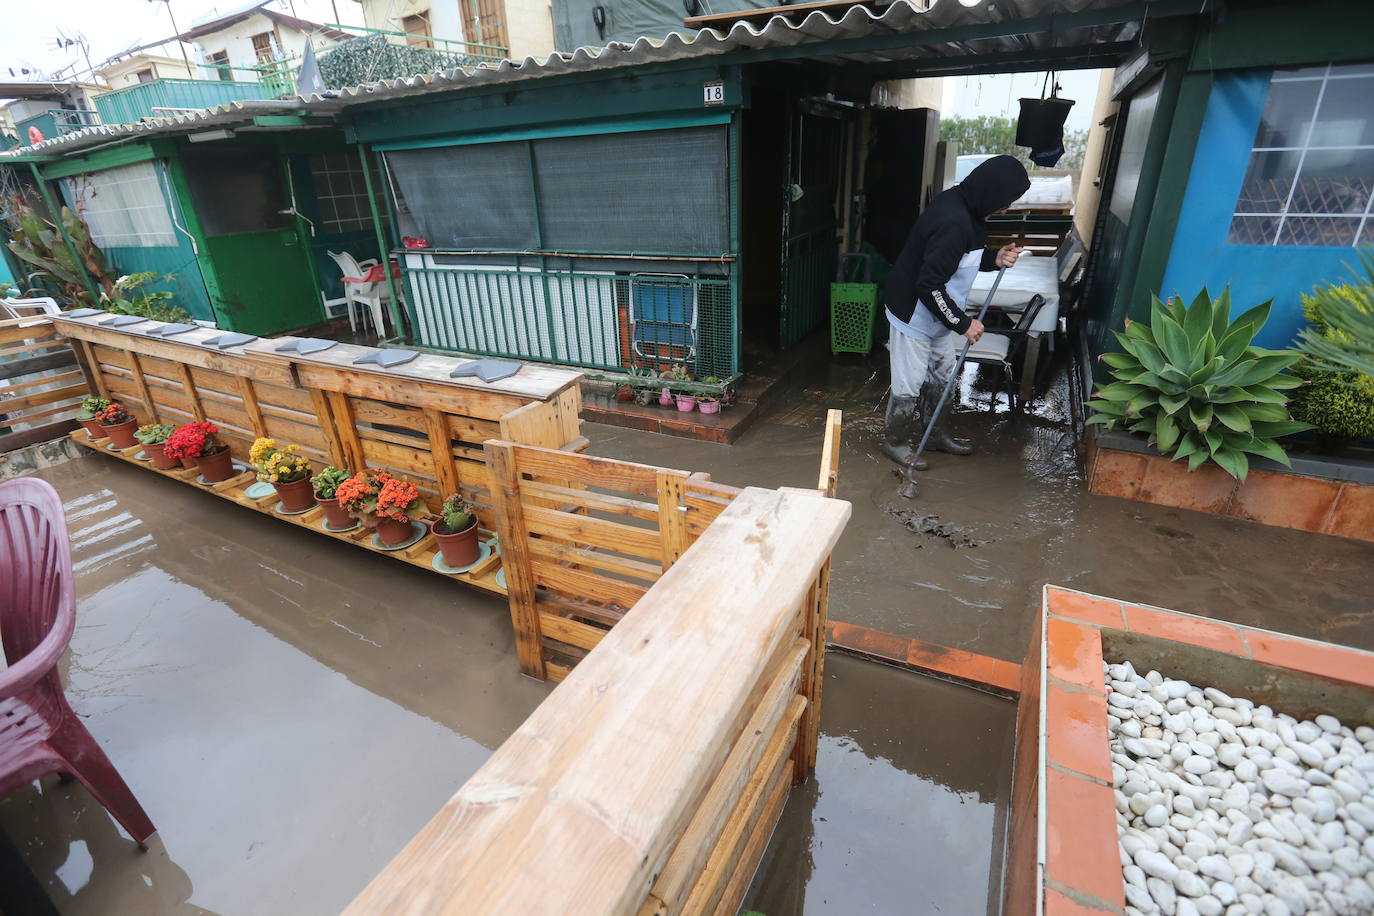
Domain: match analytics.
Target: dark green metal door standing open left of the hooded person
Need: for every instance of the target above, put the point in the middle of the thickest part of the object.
(815, 154)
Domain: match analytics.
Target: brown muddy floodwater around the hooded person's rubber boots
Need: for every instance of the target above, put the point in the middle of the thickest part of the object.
(964, 564)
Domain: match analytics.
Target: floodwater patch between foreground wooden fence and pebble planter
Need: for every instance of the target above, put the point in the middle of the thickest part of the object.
(909, 805)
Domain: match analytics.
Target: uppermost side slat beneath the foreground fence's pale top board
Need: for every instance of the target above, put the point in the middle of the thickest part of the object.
(689, 858)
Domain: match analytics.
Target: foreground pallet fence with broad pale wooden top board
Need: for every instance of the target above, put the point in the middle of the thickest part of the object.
(652, 779)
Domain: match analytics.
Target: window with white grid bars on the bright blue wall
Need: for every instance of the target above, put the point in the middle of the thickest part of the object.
(1310, 179)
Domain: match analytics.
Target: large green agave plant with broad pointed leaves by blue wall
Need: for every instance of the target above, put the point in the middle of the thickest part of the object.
(1196, 385)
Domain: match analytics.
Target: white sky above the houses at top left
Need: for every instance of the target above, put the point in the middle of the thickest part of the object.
(32, 27)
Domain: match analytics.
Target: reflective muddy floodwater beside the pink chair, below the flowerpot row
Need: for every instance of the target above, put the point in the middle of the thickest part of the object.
(289, 711)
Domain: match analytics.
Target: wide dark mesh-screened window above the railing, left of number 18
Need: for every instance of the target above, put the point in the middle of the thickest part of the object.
(637, 193)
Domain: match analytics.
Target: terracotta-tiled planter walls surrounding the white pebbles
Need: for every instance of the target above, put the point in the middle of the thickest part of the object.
(1063, 840)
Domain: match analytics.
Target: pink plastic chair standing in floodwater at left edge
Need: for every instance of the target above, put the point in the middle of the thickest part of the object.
(39, 733)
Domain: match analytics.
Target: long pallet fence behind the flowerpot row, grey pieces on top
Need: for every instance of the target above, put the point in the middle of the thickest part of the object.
(424, 428)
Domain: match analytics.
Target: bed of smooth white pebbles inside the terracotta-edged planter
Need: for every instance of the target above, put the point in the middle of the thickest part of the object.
(1225, 807)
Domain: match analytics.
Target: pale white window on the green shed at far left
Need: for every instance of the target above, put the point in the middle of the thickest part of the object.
(124, 208)
